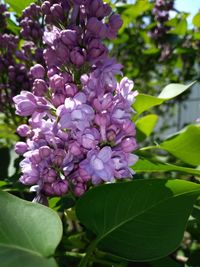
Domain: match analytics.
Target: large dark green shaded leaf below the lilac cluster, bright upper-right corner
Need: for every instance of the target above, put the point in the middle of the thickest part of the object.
(141, 220)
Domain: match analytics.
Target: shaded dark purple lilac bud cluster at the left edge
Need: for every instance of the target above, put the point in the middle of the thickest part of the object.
(14, 75)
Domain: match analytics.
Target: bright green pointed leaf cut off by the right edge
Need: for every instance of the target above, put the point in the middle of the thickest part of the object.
(185, 145)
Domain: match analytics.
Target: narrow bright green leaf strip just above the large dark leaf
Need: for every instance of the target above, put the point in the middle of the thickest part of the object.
(144, 165)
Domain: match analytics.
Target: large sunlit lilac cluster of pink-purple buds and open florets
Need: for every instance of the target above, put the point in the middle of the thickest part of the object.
(80, 130)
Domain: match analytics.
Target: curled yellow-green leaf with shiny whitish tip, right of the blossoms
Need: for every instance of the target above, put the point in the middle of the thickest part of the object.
(145, 102)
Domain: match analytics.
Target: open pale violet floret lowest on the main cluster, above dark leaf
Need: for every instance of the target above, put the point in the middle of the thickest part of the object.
(99, 165)
